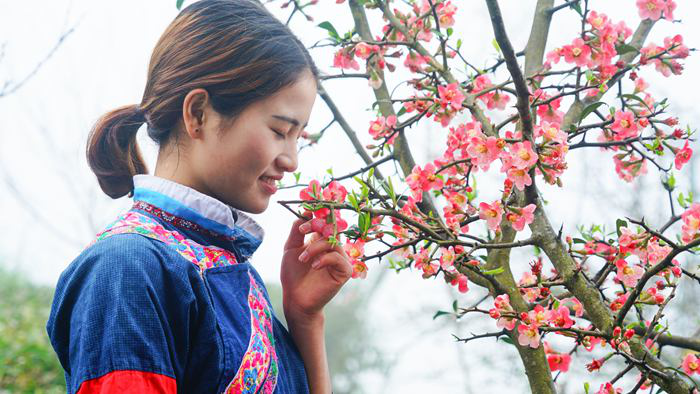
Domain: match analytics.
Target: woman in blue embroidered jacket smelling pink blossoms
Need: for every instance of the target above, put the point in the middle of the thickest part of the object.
(164, 300)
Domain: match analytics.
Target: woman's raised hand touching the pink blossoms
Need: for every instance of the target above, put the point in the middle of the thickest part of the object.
(309, 282)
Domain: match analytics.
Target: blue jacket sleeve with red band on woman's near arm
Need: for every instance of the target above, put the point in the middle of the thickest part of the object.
(120, 319)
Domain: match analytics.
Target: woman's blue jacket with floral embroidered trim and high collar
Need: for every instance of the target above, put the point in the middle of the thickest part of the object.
(165, 300)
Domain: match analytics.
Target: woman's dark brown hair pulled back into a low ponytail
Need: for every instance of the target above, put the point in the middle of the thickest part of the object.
(234, 49)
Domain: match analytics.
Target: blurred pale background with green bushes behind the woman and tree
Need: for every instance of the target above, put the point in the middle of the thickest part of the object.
(63, 63)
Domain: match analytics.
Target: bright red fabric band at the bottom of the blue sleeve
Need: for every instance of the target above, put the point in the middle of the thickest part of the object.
(129, 382)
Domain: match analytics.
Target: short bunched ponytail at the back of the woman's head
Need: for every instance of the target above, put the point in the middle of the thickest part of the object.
(112, 152)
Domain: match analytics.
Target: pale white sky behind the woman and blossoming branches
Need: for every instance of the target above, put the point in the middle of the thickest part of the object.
(102, 65)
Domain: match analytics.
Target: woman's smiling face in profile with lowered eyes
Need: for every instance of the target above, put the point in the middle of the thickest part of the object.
(240, 161)
